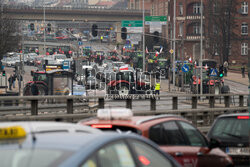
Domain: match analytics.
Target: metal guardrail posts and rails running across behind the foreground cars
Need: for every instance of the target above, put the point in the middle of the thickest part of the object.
(201, 117)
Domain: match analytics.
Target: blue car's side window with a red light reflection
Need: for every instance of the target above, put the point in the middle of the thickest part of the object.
(148, 156)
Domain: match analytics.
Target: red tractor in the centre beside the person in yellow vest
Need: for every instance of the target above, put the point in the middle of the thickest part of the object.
(128, 82)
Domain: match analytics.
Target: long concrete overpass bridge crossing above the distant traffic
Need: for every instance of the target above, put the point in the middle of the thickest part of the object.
(87, 14)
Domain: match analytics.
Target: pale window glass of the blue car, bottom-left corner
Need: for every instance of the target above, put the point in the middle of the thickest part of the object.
(32, 157)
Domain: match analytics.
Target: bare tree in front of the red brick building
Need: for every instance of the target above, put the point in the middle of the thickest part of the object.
(221, 22)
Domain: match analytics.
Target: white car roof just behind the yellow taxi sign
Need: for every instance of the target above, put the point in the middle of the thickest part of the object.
(46, 127)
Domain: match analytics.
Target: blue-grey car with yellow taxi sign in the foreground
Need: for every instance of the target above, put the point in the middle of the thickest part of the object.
(22, 147)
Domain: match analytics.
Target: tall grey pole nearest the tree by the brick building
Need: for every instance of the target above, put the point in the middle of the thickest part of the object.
(201, 56)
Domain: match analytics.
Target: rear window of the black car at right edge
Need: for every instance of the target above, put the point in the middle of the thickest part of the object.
(231, 129)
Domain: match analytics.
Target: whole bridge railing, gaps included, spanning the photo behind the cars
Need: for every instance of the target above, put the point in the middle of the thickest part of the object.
(202, 110)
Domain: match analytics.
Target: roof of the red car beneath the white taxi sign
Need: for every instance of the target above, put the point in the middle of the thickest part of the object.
(134, 121)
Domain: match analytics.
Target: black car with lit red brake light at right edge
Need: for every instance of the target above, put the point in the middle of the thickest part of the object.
(232, 130)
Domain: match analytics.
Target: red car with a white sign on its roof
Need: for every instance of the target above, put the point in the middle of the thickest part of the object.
(174, 134)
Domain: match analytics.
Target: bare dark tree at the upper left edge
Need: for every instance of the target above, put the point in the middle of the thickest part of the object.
(8, 33)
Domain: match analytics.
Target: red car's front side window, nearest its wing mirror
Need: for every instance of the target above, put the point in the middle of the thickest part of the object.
(194, 136)
